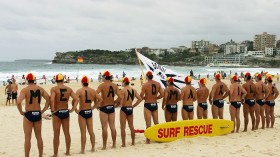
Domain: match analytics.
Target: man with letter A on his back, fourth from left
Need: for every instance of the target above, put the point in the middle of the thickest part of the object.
(108, 92)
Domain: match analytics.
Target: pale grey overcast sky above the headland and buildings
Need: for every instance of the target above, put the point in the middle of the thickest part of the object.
(36, 29)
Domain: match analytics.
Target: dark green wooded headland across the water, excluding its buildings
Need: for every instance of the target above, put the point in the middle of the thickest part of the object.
(180, 58)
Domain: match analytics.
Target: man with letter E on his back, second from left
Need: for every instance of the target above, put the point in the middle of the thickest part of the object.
(59, 98)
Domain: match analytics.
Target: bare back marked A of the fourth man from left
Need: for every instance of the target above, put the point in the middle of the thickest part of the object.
(108, 91)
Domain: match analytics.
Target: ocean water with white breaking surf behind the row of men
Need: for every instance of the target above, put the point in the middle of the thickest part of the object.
(40, 68)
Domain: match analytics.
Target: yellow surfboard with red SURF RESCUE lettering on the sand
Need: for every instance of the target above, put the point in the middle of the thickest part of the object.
(170, 131)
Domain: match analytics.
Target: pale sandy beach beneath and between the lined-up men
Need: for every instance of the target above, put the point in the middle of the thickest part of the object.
(252, 143)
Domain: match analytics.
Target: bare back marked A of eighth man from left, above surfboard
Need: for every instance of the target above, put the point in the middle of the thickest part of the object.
(188, 95)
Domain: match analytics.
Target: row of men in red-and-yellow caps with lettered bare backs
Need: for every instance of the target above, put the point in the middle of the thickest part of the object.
(258, 101)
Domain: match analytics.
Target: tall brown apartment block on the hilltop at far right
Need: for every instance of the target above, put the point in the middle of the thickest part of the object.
(264, 40)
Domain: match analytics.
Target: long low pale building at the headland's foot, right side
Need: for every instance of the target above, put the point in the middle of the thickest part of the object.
(225, 59)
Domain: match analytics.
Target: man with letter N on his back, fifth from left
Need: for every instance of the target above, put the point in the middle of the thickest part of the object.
(128, 94)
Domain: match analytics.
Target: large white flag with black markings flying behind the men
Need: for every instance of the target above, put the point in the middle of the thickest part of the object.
(161, 73)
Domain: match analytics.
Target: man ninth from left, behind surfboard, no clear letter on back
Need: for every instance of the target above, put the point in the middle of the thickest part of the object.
(202, 95)
